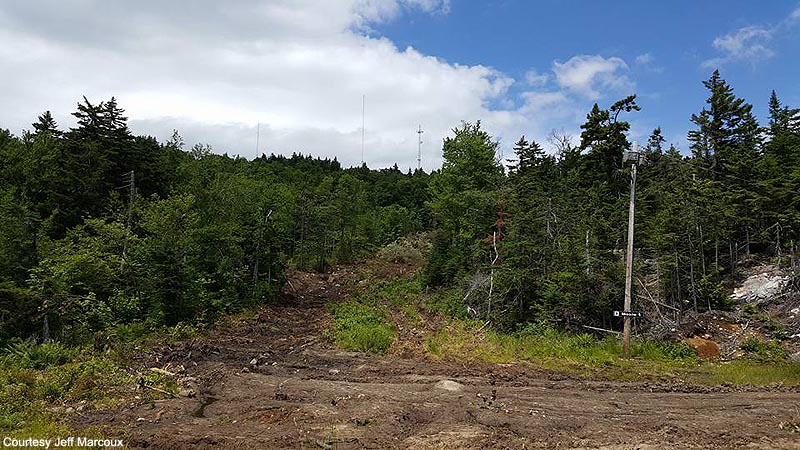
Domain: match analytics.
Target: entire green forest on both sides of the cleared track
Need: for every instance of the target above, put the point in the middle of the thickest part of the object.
(101, 227)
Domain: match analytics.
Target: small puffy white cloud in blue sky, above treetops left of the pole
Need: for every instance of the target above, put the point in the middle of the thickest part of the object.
(585, 74)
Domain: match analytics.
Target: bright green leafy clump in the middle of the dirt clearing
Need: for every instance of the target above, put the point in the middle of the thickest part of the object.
(361, 327)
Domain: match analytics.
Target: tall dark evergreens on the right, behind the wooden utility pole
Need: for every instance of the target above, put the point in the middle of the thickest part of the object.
(545, 240)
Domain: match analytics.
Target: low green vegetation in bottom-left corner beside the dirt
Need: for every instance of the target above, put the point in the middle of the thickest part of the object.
(41, 384)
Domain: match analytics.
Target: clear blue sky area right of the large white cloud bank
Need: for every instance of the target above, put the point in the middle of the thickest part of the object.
(668, 48)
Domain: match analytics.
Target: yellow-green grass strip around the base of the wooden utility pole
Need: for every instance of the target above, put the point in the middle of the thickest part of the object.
(584, 356)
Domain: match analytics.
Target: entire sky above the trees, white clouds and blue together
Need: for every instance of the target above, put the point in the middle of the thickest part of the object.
(215, 70)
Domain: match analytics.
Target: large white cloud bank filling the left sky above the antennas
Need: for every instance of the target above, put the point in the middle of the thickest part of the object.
(298, 67)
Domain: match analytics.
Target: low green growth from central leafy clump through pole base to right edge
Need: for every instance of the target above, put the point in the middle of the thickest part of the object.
(453, 334)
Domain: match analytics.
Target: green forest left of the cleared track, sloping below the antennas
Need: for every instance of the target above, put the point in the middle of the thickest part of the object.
(101, 227)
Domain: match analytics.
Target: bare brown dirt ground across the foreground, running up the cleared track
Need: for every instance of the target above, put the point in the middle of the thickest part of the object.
(274, 381)
